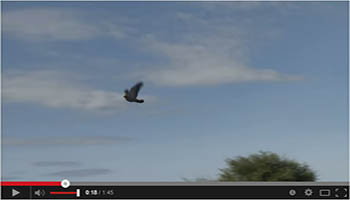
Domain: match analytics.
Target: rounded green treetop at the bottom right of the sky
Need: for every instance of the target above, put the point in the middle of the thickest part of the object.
(266, 166)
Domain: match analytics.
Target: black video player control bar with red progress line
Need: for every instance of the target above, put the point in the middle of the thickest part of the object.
(56, 190)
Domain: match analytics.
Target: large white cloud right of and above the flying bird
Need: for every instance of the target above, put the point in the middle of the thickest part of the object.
(206, 61)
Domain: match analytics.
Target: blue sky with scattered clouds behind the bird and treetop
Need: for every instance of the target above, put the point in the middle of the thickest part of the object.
(221, 80)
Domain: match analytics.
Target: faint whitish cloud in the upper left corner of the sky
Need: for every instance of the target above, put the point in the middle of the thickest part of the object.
(57, 24)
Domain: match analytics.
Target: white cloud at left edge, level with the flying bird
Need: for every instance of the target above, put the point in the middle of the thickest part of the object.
(56, 89)
